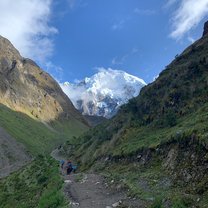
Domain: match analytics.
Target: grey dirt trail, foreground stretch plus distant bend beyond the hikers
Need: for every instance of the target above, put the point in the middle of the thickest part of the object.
(92, 191)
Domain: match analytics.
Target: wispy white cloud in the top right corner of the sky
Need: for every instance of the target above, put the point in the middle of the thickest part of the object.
(188, 15)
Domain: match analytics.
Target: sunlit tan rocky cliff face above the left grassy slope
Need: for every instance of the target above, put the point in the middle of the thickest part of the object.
(25, 87)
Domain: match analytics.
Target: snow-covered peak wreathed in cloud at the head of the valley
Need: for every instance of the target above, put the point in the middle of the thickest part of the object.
(103, 93)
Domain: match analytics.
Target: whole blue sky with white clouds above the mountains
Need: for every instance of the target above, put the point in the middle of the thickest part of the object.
(72, 38)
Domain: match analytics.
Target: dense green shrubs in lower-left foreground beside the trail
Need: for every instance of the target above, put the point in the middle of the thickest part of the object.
(37, 185)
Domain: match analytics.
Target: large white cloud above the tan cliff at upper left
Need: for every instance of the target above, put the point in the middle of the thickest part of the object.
(26, 24)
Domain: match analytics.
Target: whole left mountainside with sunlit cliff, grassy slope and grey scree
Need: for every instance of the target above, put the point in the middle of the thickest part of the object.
(34, 111)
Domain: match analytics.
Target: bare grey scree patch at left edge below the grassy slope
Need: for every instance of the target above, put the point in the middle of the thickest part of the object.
(12, 154)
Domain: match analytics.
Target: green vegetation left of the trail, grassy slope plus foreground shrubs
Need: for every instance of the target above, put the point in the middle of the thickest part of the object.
(39, 184)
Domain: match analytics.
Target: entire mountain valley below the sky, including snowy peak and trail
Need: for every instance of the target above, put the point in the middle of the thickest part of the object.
(136, 145)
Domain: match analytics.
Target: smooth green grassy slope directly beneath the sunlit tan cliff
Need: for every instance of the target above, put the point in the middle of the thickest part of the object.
(36, 136)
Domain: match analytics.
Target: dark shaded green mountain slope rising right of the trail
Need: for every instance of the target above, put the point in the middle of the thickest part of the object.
(157, 144)
